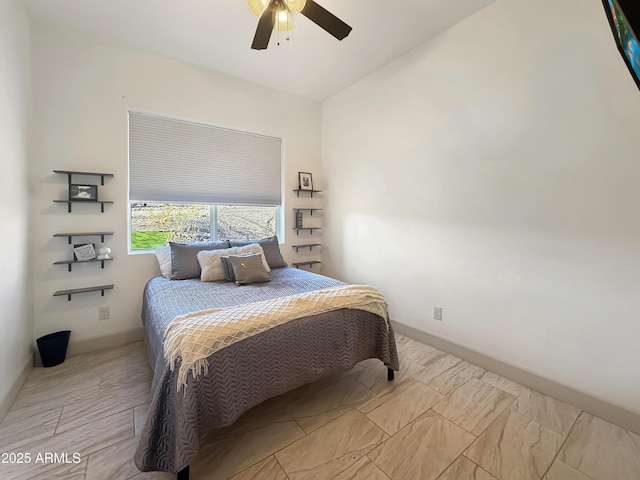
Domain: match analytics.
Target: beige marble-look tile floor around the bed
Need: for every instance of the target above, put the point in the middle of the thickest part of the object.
(441, 419)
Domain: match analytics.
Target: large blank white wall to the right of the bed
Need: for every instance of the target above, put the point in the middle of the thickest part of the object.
(493, 171)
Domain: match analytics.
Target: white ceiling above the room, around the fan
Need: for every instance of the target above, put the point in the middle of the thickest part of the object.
(217, 34)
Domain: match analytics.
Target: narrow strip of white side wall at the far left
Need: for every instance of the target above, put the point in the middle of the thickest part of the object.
(16, 322)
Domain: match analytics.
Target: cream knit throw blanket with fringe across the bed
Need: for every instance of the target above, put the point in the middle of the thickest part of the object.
(195, 336)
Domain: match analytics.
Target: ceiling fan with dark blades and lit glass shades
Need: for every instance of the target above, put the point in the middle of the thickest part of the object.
(277, 14)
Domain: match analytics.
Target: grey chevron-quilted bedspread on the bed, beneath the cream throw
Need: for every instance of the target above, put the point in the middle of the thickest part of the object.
(249, 371)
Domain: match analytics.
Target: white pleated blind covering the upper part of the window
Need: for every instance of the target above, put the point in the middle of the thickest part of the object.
(180, 161)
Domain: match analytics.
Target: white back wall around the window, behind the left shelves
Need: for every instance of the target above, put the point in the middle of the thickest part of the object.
(83, 88)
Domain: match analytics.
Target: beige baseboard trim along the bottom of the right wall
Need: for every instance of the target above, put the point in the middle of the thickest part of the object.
(596, 406)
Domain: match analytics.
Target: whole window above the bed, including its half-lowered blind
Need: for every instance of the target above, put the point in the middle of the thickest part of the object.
(192, 182)
